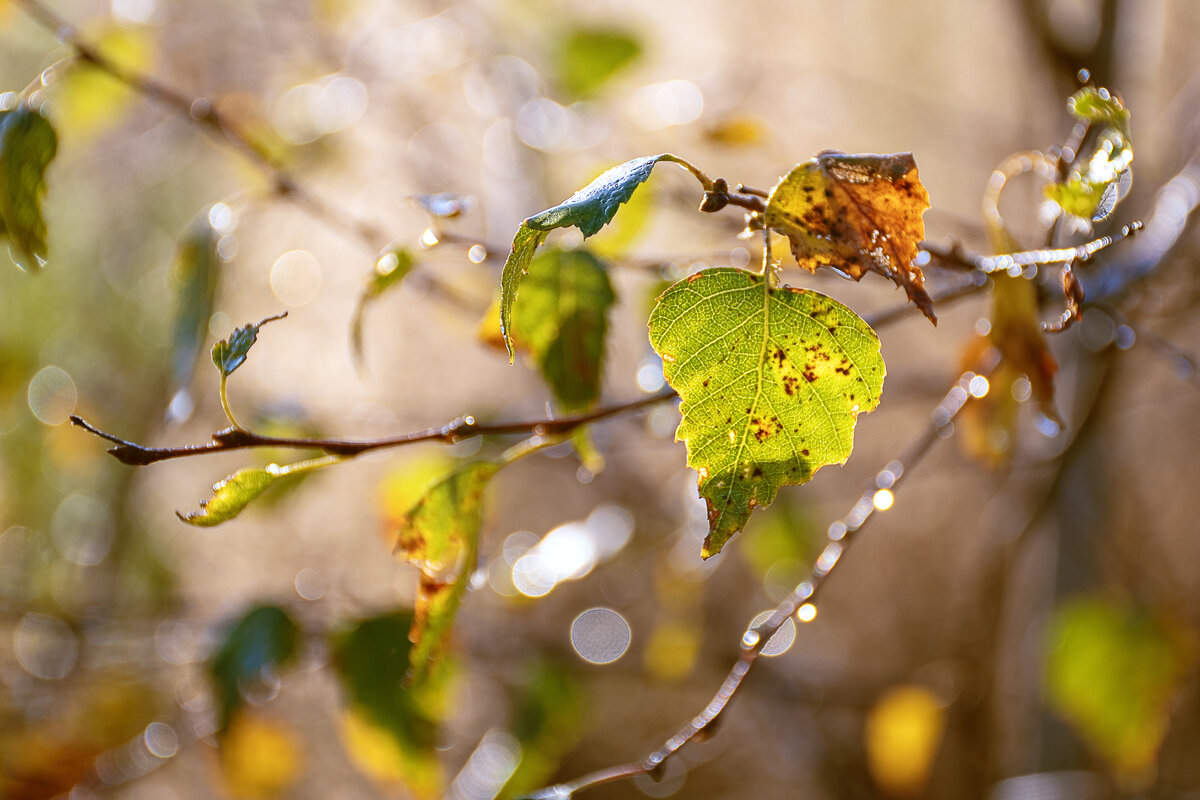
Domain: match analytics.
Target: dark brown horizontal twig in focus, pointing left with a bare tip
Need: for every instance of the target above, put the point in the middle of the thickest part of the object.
(464, 428)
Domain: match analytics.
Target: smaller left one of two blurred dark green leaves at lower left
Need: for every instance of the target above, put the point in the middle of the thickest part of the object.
(255, 648)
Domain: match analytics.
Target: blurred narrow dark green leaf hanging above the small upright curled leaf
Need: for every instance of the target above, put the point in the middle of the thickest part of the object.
(194, 275)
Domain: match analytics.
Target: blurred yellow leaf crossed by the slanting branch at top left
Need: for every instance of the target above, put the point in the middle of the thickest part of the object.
(88, 100)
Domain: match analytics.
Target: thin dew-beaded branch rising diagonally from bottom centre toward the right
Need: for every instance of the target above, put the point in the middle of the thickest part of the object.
(878, 497)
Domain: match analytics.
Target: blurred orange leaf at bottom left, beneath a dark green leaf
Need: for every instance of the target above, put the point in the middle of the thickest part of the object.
(260, 759)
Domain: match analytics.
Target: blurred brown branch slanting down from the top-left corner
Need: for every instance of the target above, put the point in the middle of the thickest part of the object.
(203, 113)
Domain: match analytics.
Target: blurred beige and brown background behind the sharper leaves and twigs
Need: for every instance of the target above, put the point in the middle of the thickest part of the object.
(1023, 623)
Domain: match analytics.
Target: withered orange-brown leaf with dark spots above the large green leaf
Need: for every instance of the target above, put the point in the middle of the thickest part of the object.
(856, 214)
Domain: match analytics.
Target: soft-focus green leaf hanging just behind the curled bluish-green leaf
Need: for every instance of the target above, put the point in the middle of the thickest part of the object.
(563, 317)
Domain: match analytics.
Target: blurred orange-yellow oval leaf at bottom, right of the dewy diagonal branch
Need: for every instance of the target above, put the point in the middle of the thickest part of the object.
(904, 731)
